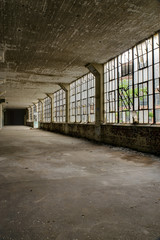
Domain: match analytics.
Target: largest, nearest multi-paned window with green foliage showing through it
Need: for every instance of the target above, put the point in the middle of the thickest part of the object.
(131, 85)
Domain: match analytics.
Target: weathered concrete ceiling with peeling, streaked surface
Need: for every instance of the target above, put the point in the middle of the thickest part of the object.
(45, 42)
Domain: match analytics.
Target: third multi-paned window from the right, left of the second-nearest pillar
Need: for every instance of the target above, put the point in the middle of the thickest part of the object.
(59, 109)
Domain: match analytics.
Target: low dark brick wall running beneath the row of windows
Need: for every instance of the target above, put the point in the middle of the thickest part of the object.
(137, 137)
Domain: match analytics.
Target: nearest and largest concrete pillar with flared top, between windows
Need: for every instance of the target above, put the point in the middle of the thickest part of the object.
(98, 72)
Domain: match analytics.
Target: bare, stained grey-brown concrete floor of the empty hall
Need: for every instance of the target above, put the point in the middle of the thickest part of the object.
(61, 188)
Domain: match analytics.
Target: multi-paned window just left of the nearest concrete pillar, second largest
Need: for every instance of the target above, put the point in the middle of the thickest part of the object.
(82, 99)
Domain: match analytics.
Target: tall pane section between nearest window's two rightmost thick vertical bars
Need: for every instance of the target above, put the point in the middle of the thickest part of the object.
(143, 81)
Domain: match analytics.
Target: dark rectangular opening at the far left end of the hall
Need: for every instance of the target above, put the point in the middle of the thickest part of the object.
(14, 116)
